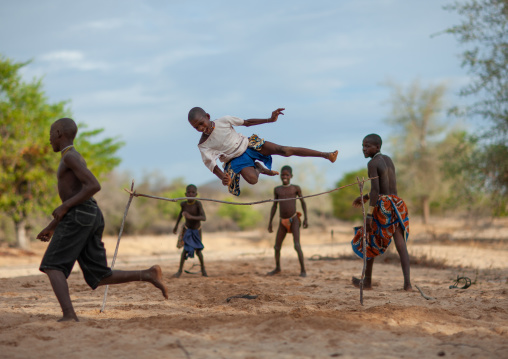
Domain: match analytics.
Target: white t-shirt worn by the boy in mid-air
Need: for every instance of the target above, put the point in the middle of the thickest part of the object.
(224, 143)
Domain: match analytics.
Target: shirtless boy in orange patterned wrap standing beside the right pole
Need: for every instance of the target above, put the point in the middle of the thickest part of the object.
(387, 214)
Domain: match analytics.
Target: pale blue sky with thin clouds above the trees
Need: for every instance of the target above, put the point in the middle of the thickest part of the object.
(135, 68)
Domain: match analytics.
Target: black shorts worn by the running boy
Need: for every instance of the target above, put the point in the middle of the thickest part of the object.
(79, 237)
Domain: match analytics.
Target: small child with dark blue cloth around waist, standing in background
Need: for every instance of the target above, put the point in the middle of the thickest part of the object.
(190, 237)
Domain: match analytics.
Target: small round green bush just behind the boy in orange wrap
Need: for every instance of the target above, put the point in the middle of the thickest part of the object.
(342, 200)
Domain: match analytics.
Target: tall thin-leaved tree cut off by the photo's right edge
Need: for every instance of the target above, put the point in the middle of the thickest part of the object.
(484, 31)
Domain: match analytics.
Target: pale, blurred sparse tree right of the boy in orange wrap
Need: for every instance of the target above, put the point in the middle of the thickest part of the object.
(417, 142)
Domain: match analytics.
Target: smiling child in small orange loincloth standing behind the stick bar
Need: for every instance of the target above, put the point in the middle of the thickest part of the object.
(289, 218)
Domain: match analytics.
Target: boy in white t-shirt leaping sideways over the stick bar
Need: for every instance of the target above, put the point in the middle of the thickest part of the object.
(238, 152)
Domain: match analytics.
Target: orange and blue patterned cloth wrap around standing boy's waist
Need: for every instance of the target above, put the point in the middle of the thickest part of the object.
(390, 213)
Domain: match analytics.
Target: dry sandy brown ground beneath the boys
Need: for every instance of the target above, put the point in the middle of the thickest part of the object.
(315, 317)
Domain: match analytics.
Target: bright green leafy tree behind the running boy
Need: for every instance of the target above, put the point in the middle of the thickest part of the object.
(27, 162)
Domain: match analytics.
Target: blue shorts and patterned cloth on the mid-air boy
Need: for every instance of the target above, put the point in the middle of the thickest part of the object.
(247, 159)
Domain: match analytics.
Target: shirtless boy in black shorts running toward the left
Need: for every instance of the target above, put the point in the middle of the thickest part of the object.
(77, 226)
